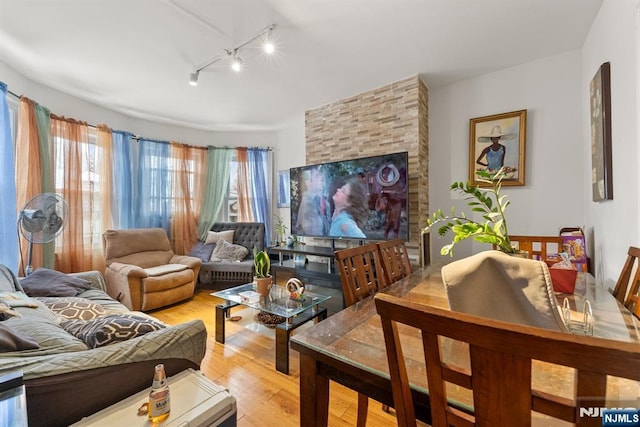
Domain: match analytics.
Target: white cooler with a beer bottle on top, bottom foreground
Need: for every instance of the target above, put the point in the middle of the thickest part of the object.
(195, 402)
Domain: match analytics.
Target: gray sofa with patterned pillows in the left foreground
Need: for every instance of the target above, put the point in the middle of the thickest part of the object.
(80, 350)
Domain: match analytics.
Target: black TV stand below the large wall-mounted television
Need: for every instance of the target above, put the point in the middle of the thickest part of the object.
(316, 273)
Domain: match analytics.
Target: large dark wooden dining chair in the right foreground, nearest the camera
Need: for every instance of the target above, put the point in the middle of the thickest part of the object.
(499, 378)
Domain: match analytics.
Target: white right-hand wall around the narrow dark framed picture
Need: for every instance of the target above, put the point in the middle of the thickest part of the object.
(614, 224)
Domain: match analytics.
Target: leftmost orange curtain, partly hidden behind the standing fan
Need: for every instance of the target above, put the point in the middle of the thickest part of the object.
(28, 171)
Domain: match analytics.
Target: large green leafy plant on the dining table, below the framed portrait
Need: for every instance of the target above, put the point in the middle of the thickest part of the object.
(489, 203)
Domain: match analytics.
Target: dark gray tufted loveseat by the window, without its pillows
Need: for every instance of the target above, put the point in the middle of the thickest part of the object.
(221, 275)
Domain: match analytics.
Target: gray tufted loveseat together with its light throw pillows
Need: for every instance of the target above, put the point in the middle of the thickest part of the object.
(227, 253)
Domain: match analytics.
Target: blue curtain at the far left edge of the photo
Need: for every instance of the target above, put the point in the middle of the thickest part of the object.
(8, 208)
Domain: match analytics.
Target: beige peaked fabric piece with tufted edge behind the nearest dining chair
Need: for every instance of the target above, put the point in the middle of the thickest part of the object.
(499, 286)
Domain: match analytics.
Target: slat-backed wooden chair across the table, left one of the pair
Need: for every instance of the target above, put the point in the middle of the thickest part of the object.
(362, 275)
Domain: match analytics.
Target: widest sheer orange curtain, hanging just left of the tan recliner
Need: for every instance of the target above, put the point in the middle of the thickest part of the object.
(81, 179)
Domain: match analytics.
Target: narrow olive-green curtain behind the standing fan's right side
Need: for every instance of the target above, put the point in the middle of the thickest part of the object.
(43, 120)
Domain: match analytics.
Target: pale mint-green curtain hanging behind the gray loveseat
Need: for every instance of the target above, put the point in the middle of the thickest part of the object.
(216, 185)
